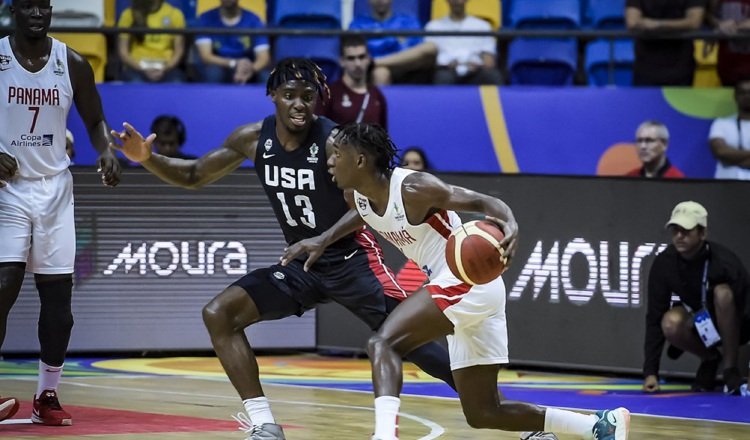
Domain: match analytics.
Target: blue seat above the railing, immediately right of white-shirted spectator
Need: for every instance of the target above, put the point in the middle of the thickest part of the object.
(545, 14)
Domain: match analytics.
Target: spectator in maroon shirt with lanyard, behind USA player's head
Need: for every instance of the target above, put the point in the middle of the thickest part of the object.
(353, 96)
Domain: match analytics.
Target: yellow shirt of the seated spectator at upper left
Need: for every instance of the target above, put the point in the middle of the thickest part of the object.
(154, 47)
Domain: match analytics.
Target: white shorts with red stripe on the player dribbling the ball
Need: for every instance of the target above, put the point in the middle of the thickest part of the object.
(477, 312)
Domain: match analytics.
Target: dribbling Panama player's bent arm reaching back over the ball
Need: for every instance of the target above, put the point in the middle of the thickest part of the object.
(424, 193)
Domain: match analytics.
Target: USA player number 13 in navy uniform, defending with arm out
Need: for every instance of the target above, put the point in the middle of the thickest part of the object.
(290, 150)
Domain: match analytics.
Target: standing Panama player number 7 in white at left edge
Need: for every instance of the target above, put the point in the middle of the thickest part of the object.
(39, 80)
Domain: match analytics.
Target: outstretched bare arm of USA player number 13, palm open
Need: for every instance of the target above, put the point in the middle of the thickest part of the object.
(238, 146)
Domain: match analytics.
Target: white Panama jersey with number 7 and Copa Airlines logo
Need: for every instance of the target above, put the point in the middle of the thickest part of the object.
(35, 109)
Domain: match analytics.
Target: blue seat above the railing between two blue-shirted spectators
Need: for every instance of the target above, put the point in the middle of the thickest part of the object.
(306, 14)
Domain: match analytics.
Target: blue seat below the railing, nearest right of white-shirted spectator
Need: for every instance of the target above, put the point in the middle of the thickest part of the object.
(542, 61)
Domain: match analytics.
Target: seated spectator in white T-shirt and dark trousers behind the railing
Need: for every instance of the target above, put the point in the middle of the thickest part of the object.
(464, 60)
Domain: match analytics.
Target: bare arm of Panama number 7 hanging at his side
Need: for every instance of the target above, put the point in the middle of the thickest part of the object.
(89, 105)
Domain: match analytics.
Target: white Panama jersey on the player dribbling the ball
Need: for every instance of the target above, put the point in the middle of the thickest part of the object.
(425, 242)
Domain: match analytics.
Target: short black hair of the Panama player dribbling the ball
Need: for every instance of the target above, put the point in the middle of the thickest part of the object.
(373, 140)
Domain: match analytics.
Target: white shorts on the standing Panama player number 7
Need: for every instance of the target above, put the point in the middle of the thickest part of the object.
(37, 223)
